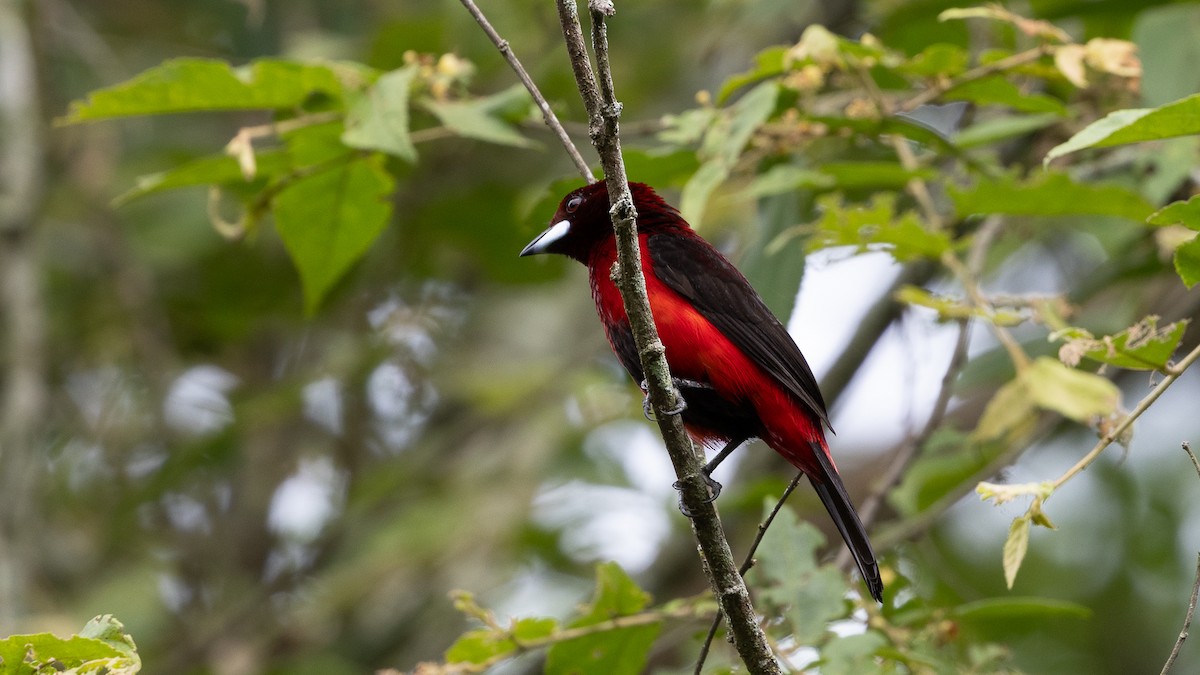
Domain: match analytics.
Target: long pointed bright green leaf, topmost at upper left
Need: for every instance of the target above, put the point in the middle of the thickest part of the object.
(183, 86)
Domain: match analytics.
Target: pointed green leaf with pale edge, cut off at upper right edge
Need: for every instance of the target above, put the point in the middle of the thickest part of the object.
(1180, 118)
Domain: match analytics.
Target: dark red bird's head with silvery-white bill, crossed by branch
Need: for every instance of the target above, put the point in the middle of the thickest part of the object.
(581, 223)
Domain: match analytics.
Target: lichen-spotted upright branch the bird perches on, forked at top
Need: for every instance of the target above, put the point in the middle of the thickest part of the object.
(604, 114)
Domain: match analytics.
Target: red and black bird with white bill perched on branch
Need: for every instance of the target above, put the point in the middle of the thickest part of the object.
(739, 371)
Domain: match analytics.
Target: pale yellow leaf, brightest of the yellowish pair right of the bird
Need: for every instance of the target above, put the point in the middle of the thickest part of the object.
(1072, 393)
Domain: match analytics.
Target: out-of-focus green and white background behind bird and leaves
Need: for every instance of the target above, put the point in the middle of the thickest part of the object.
(256, 489)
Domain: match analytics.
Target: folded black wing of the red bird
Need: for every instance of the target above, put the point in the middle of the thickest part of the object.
(698, 272)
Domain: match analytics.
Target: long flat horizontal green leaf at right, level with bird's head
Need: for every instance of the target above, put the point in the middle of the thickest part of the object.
(1049, 195)
